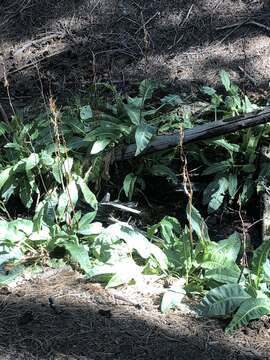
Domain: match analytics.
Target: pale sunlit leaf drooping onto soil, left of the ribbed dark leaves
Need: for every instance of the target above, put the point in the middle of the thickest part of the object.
(173, 297)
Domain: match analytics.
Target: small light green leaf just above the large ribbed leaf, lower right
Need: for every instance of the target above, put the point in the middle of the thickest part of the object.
(224, 275)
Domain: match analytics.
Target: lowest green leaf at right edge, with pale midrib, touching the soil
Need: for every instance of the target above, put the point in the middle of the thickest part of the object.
(250, 309)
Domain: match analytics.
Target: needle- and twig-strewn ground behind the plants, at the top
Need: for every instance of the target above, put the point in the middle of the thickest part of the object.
(61, 46)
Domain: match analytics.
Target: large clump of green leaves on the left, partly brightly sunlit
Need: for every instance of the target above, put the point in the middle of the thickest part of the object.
(42, 165)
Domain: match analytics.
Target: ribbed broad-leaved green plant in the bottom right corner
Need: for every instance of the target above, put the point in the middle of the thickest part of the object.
(245, 299)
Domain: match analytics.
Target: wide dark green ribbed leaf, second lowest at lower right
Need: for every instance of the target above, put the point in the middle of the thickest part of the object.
(223, 300)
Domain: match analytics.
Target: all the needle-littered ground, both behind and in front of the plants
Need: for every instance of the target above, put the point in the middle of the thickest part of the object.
(61, 47)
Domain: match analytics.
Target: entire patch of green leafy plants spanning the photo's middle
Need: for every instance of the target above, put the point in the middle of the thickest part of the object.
(51, 164)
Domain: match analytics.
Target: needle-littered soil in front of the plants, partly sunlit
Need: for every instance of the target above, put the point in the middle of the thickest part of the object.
(85, 321)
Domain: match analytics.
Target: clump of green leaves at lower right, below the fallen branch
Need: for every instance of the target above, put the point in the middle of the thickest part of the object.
(210, 268)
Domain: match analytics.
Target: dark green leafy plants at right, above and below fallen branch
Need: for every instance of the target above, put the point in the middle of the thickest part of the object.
(236, 156)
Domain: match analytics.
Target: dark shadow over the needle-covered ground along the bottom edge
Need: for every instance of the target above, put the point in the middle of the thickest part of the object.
(31, 329)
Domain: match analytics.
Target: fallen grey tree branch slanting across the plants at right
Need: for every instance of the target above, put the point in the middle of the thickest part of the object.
(201, 132)
